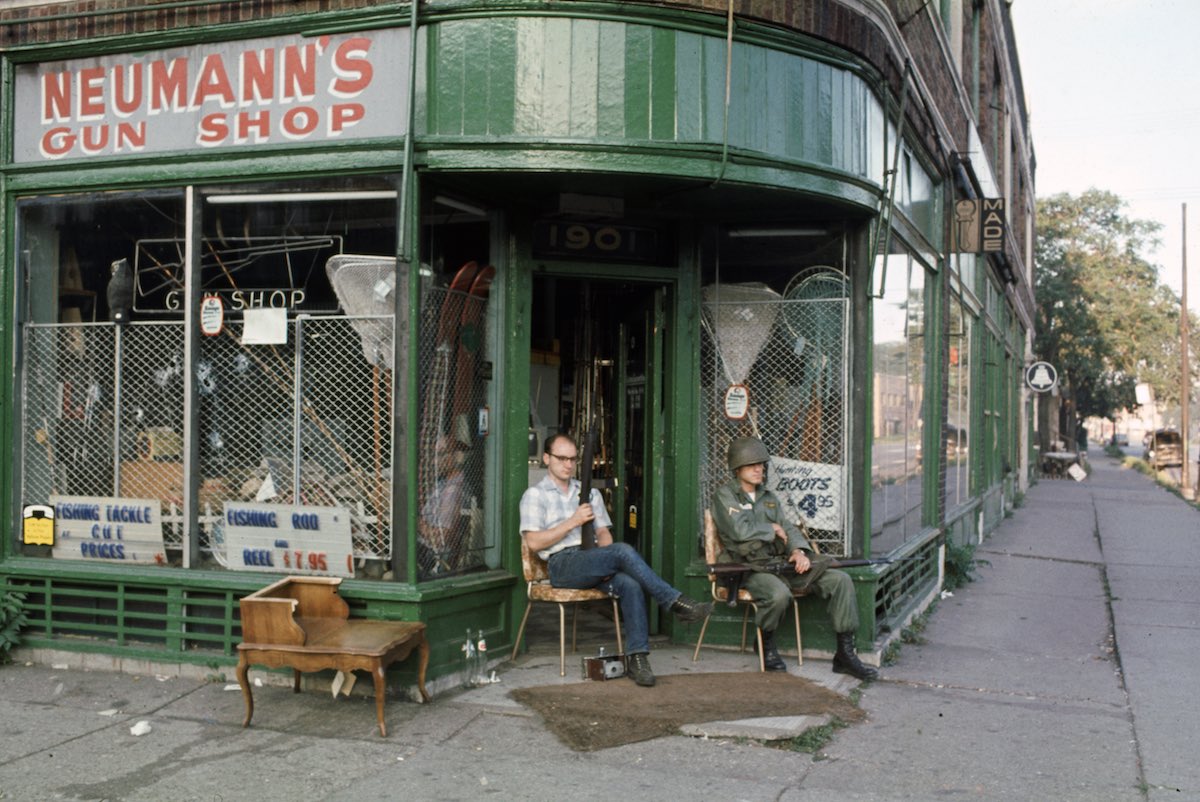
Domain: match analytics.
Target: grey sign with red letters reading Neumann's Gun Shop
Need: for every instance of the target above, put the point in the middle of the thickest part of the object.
(266, 92)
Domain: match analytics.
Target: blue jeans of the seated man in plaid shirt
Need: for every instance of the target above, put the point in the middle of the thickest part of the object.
(578, 568)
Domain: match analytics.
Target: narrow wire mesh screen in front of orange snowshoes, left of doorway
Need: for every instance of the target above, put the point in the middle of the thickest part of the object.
(452, 456)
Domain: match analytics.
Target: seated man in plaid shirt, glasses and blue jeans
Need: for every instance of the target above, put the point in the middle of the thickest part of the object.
(551, 524)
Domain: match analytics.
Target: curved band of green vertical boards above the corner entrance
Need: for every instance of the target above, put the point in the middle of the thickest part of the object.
(547, 80)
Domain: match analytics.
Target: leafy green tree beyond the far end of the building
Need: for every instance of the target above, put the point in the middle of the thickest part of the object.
(1105, 320)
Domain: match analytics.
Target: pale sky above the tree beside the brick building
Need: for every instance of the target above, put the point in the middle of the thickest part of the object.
(1113, 91)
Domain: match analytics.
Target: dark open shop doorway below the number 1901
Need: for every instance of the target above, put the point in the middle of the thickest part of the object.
(598, 364)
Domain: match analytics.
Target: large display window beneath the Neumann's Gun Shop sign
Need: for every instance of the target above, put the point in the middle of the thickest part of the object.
(283, 412)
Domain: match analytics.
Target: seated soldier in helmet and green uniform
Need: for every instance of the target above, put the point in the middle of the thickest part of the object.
(753, 529)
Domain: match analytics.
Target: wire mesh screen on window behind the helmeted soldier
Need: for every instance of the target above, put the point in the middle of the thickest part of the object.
(790, 352)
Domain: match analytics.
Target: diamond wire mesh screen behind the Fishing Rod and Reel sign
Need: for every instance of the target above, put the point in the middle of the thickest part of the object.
(307, 423)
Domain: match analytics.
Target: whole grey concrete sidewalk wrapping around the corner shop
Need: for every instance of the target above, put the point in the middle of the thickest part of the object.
(1065, 672)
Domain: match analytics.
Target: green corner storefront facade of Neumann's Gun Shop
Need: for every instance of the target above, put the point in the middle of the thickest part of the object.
(373, 258)
